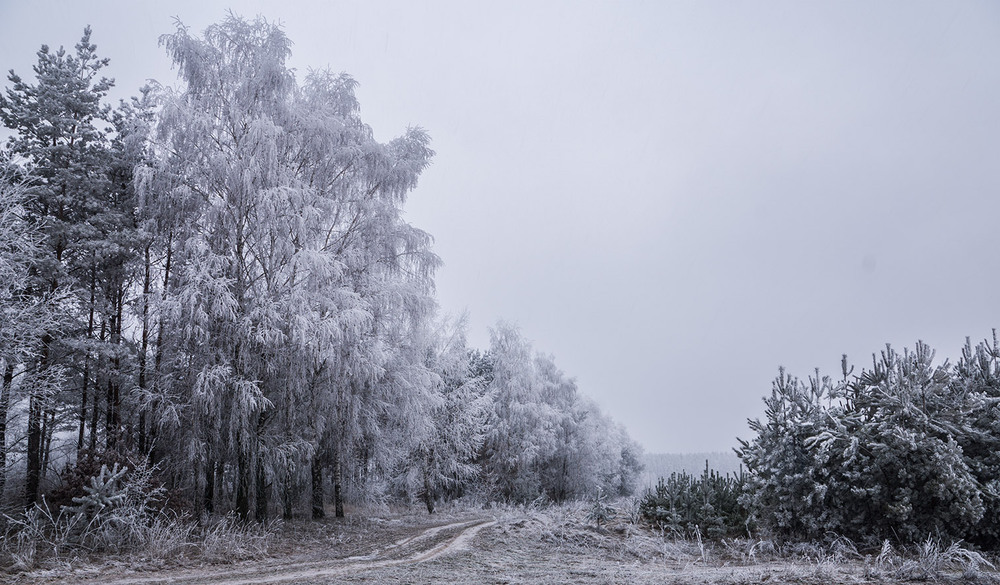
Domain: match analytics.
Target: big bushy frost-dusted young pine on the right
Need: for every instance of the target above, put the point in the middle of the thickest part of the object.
(873, 457)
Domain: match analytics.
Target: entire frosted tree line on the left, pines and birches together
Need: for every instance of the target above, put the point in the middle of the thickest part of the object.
(217, 282)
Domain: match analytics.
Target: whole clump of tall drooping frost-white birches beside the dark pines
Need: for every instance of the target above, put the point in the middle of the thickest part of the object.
(289, 259)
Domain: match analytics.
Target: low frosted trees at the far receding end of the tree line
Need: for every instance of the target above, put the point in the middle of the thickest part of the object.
(542, 438)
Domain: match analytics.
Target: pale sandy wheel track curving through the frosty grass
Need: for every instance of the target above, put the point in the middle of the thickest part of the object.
(424, 546)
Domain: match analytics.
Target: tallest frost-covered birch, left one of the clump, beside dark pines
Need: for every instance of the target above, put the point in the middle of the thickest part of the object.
(218, 145)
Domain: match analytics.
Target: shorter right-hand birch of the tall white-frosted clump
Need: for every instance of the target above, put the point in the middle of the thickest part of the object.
(376, 386)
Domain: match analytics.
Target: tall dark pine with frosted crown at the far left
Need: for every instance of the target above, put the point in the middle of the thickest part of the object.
(60, 134)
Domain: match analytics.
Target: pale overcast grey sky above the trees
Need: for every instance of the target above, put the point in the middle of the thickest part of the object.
(672, 198)
